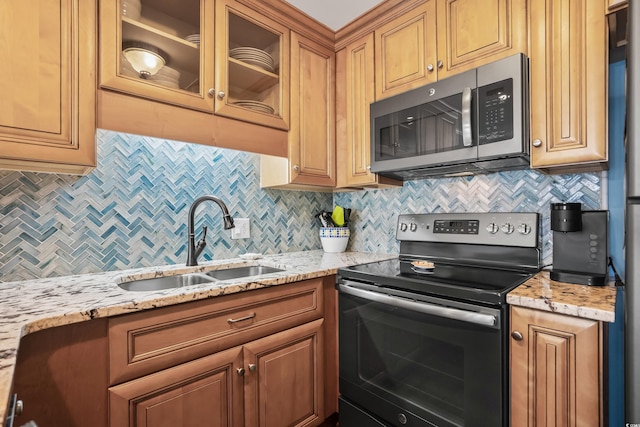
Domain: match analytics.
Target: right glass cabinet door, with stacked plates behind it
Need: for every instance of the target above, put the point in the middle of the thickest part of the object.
(252, 63)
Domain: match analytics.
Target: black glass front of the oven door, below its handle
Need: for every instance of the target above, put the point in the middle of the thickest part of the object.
(445, 371)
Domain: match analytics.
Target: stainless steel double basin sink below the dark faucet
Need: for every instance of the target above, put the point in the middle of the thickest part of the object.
(170, 282)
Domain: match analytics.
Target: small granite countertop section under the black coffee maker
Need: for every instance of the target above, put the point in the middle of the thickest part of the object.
(589, 302)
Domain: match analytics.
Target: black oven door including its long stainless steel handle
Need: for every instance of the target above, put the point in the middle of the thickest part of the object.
(410, 360)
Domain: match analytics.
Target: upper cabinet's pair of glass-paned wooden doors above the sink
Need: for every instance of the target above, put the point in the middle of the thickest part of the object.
(210, 56)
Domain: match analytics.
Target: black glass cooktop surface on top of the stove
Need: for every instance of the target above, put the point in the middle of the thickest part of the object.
(462, 282)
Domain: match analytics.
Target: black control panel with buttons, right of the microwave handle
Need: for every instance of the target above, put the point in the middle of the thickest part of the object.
(495, 112)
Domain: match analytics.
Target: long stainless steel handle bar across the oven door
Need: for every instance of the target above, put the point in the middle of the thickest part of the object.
(421, 307)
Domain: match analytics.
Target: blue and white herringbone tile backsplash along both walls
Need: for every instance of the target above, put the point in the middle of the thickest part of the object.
(131, 211)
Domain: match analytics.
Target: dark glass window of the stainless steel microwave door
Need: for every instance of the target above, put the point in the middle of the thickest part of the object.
(430, 128)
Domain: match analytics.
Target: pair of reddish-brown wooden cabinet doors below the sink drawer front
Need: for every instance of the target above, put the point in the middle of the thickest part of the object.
(274, 381)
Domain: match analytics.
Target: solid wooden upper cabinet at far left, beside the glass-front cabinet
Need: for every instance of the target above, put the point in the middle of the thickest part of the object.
(48, 80)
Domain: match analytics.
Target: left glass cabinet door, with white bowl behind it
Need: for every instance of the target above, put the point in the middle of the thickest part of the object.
(159, 49)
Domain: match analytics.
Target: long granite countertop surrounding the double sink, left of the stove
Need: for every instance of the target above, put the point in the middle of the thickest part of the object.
(33, 305)
